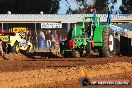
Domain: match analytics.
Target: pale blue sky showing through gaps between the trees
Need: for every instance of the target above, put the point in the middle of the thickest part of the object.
(73, 4)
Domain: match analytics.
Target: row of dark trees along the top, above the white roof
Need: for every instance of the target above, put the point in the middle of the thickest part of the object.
(52, 6)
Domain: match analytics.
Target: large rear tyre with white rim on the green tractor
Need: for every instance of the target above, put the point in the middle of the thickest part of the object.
(108, 41)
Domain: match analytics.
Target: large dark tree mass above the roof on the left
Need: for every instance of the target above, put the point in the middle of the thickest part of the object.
(29, 6)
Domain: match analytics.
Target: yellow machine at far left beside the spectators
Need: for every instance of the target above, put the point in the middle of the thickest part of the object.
(15, 41)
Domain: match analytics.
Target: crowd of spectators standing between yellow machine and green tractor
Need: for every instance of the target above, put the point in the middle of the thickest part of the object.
(44, 39)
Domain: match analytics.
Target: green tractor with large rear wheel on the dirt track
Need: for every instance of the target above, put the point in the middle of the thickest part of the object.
(84, 38)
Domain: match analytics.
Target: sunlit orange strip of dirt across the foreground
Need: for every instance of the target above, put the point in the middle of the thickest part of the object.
(63, 77)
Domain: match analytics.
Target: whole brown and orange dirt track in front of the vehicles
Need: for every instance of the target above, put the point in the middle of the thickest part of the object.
(21, 72)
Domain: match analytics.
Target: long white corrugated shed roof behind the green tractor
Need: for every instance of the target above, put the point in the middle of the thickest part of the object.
(57, 17)
